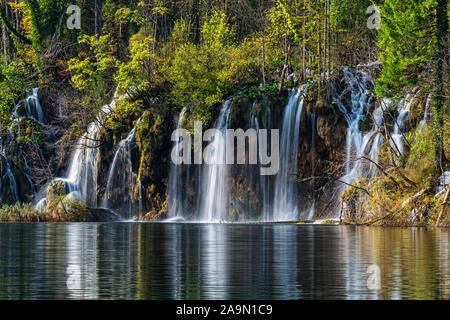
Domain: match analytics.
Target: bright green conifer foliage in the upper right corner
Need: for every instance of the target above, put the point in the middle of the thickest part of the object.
(406, 43)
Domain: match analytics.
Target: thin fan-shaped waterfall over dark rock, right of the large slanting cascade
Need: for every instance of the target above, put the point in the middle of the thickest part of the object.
(122, 181)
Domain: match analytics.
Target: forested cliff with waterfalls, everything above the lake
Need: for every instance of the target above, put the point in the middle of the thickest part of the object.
(91, 91)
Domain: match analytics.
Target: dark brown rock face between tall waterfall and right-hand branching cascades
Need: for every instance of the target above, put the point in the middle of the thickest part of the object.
(319, 158)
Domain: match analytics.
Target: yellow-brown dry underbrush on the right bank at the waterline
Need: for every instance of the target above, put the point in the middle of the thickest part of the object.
(406, 195)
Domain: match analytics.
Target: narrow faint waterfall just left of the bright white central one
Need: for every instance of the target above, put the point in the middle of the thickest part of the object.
(176, 200)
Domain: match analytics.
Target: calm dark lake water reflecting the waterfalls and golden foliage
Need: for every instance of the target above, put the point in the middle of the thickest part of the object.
(207, 261)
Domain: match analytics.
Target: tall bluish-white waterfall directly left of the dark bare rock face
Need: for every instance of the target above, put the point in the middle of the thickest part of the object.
(285, 206)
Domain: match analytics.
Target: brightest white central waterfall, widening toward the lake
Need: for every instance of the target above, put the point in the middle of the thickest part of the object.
(214, 185)
